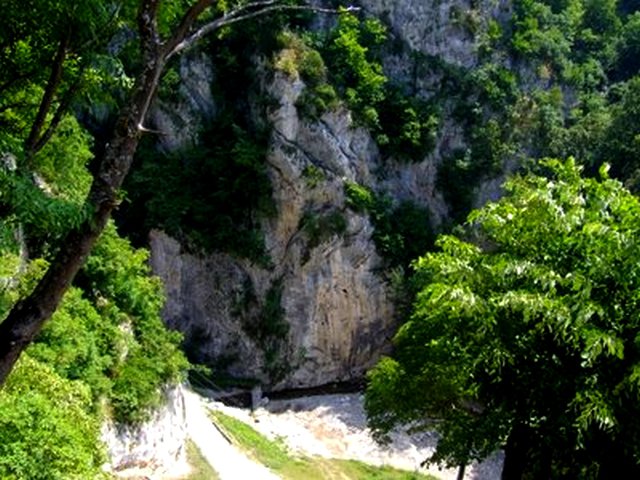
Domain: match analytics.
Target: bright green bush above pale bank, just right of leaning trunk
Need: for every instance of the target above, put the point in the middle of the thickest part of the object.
(128, 298)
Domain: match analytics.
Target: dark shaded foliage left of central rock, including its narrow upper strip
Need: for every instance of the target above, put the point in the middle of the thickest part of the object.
(212, 196)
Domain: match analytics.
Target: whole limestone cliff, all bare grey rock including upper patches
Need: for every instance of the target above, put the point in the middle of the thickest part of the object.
(329, 288)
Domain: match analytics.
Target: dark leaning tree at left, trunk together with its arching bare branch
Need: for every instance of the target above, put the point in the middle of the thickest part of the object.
(160, 40)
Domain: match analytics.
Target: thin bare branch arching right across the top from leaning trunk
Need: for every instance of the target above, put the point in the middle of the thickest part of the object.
(241, 15)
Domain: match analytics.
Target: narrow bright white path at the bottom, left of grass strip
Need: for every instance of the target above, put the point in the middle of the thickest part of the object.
(226, 459)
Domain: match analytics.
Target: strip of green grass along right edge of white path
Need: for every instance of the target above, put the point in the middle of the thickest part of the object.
(275, 455)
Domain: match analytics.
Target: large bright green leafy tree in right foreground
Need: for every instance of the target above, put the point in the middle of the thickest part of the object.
(524, 333)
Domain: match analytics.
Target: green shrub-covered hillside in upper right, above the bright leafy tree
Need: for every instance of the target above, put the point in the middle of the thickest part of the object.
(557, 98)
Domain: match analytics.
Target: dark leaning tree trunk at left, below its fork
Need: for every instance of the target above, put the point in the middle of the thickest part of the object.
(28, 316)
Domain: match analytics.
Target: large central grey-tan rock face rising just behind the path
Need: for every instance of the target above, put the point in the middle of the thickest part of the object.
(336, 305)
